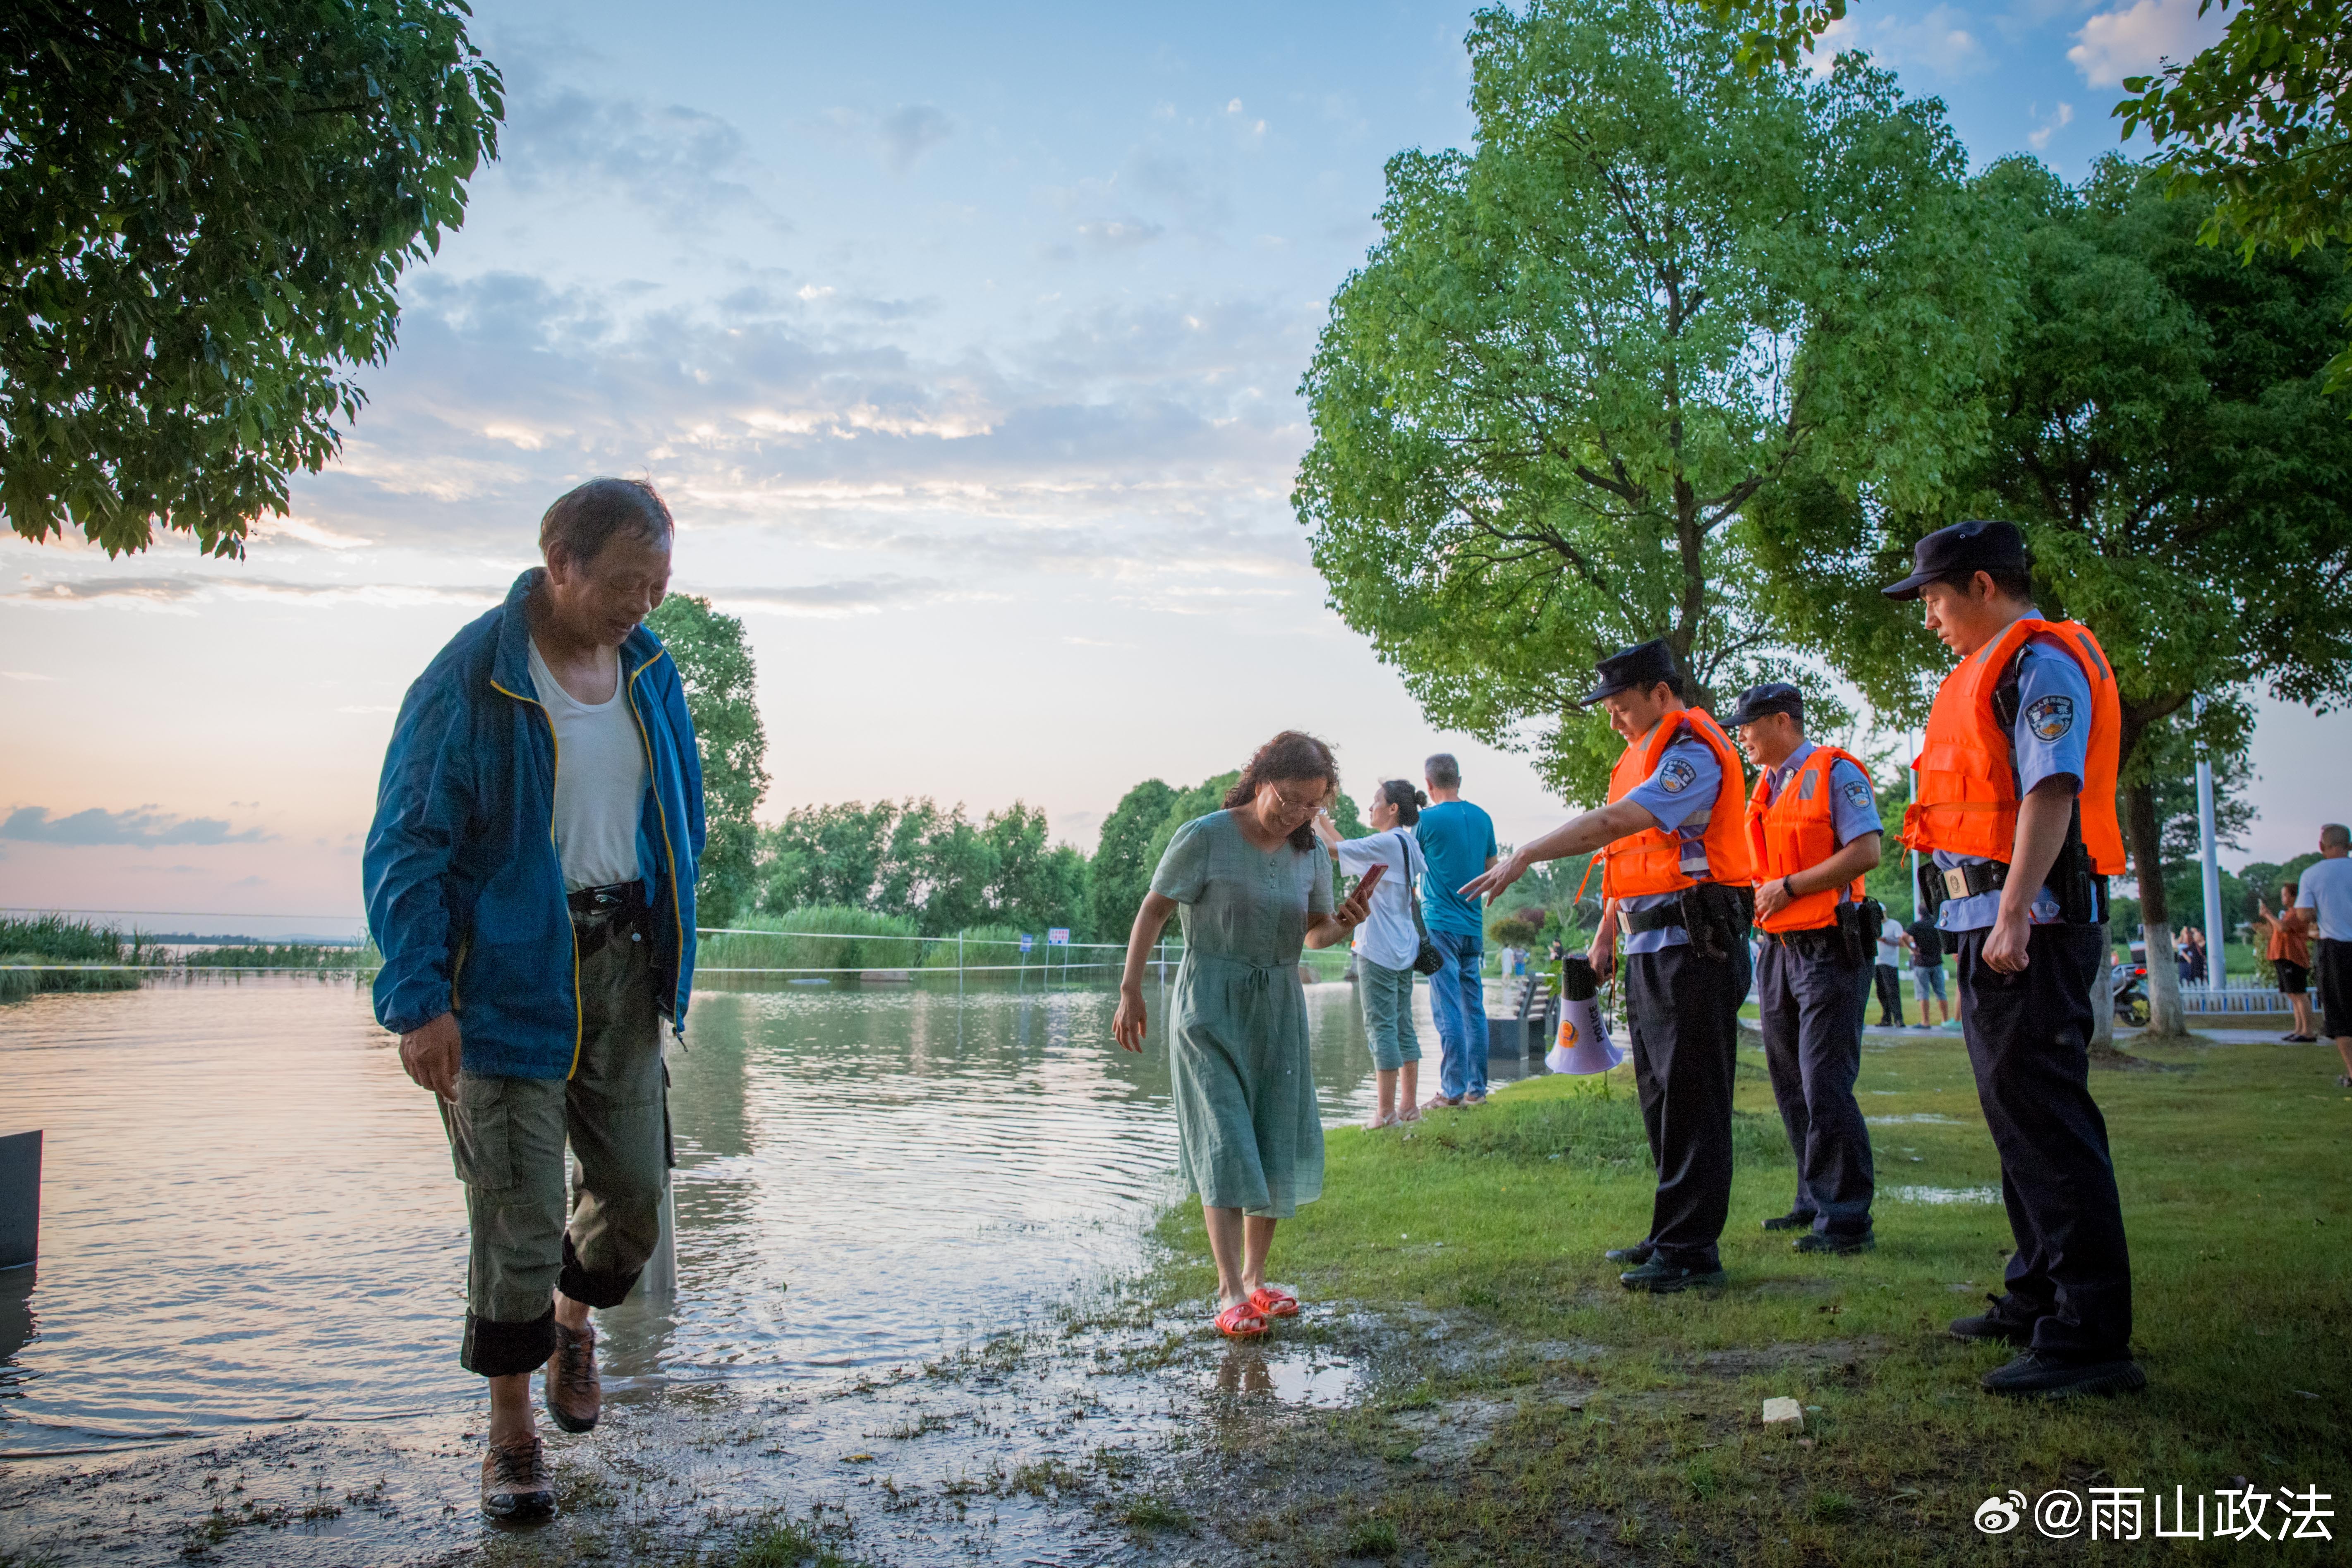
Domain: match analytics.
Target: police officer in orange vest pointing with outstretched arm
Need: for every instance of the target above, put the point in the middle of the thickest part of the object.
(1678, 887)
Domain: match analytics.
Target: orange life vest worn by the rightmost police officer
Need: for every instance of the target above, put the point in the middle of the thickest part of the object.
(1967, 798)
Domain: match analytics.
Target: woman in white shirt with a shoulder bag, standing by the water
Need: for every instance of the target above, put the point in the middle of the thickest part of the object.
(1389, 942)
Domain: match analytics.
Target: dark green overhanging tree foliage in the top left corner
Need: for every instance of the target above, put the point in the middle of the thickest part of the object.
(206, 208)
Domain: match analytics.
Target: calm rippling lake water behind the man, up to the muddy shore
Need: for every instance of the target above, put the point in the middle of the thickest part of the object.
(250, 1212)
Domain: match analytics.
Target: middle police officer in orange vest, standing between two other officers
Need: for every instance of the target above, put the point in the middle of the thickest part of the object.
(1815, 833)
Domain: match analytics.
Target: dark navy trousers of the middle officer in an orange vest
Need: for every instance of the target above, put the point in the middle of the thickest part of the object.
(1812, 1019)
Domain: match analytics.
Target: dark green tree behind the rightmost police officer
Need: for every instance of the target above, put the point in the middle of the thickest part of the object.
(2163, 436)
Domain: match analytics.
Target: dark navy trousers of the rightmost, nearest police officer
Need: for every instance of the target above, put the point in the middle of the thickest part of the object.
(2031, 1045)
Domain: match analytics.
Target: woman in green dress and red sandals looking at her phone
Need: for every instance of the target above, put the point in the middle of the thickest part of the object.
(1255, 887)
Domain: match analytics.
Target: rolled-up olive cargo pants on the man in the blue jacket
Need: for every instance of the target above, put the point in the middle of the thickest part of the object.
(507, 1139)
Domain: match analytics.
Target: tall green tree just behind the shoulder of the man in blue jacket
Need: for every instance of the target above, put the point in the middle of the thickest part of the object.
(714, 662)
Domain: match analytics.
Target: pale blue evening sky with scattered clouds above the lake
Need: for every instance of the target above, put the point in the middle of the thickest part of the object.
(965, 349)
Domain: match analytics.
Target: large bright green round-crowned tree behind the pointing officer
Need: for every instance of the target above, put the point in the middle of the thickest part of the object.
(1582, 351)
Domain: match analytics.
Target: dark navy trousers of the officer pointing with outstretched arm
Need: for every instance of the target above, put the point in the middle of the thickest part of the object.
(1685, 1017)
